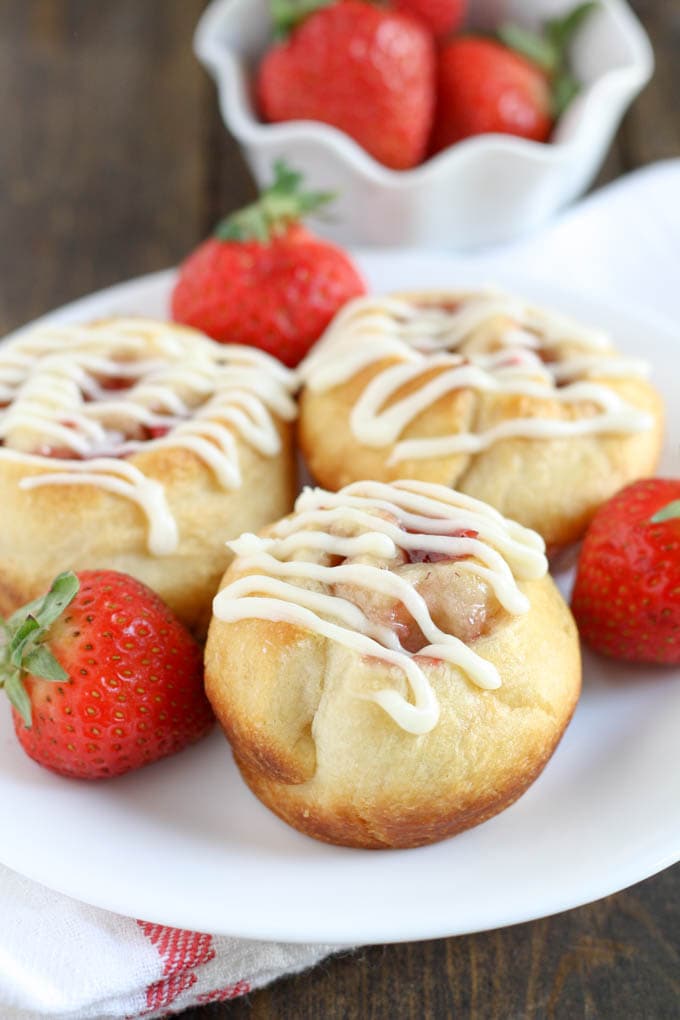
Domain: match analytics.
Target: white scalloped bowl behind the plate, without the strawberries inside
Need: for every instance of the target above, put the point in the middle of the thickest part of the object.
(483, 191)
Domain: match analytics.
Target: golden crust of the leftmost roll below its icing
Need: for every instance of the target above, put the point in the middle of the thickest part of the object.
(57, 528)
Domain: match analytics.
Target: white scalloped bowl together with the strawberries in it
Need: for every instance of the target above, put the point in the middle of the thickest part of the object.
(442, 123)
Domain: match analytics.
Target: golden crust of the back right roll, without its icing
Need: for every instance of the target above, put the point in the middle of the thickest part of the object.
(554, 486)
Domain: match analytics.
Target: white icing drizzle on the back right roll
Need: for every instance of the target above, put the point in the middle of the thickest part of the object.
(419, 339)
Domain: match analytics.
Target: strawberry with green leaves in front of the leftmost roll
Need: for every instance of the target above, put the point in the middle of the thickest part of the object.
(102, 677)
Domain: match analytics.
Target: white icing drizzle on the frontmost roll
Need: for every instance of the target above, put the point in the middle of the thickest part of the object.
(292, 577)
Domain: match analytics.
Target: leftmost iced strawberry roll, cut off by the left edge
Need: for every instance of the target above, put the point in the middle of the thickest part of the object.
(140, 446)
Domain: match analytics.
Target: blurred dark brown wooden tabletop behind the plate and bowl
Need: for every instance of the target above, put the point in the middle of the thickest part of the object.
(115, 161)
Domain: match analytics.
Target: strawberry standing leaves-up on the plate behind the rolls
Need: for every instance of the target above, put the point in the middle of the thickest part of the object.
(264, 280)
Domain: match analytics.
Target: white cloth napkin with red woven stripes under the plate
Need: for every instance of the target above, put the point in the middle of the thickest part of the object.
(63, 959)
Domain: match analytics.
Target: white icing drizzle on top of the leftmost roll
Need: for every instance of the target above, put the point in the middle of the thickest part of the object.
(92, 396)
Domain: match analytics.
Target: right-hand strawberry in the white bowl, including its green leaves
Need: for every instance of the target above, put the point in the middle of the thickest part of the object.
(518, 86)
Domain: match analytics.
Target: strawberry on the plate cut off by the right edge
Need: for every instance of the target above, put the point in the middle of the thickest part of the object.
(626, 599)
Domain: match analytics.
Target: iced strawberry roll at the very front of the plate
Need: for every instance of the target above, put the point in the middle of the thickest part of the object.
(392, 664)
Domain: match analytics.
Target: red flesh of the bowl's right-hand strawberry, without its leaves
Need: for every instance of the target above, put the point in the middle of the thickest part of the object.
(485, 87)
